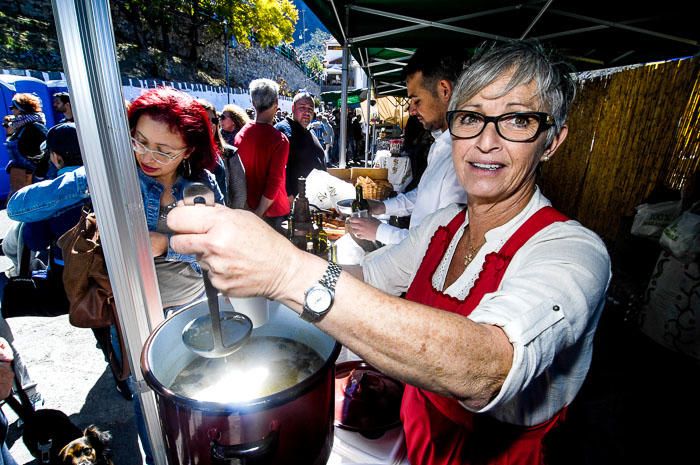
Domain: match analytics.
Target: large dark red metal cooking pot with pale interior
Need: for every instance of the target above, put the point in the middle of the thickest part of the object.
(292, 426)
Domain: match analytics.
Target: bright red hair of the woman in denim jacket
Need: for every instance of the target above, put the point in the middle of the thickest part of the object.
(184, 115)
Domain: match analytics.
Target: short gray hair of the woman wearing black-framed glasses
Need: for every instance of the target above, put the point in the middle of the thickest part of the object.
(528, 62)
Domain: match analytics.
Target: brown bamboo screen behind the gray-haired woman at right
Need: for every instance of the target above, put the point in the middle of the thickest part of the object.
(628, 132)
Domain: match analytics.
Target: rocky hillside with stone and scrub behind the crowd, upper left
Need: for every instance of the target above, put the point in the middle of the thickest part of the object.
(28, 41)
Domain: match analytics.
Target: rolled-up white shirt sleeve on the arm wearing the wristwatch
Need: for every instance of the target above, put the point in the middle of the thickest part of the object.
(548, 305)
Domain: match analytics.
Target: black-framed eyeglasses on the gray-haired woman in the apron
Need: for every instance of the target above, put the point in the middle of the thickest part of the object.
(514, 127)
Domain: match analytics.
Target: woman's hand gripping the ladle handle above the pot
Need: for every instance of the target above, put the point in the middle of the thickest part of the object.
(244, 256)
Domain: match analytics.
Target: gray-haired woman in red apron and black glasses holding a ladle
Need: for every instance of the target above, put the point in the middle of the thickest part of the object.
(494, 337)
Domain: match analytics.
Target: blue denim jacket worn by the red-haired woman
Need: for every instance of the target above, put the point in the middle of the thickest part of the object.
(49, 198)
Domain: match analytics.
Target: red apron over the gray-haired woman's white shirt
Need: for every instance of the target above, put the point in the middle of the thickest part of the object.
(439, 431)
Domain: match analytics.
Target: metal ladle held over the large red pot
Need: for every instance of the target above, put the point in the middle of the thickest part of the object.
(217, 334)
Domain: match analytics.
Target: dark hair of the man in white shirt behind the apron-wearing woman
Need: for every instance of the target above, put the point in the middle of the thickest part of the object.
(436, 65)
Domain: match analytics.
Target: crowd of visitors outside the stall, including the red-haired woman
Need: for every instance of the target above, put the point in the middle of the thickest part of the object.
(249, 158)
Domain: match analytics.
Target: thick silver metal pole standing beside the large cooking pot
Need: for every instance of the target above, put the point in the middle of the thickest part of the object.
(86, 39)
